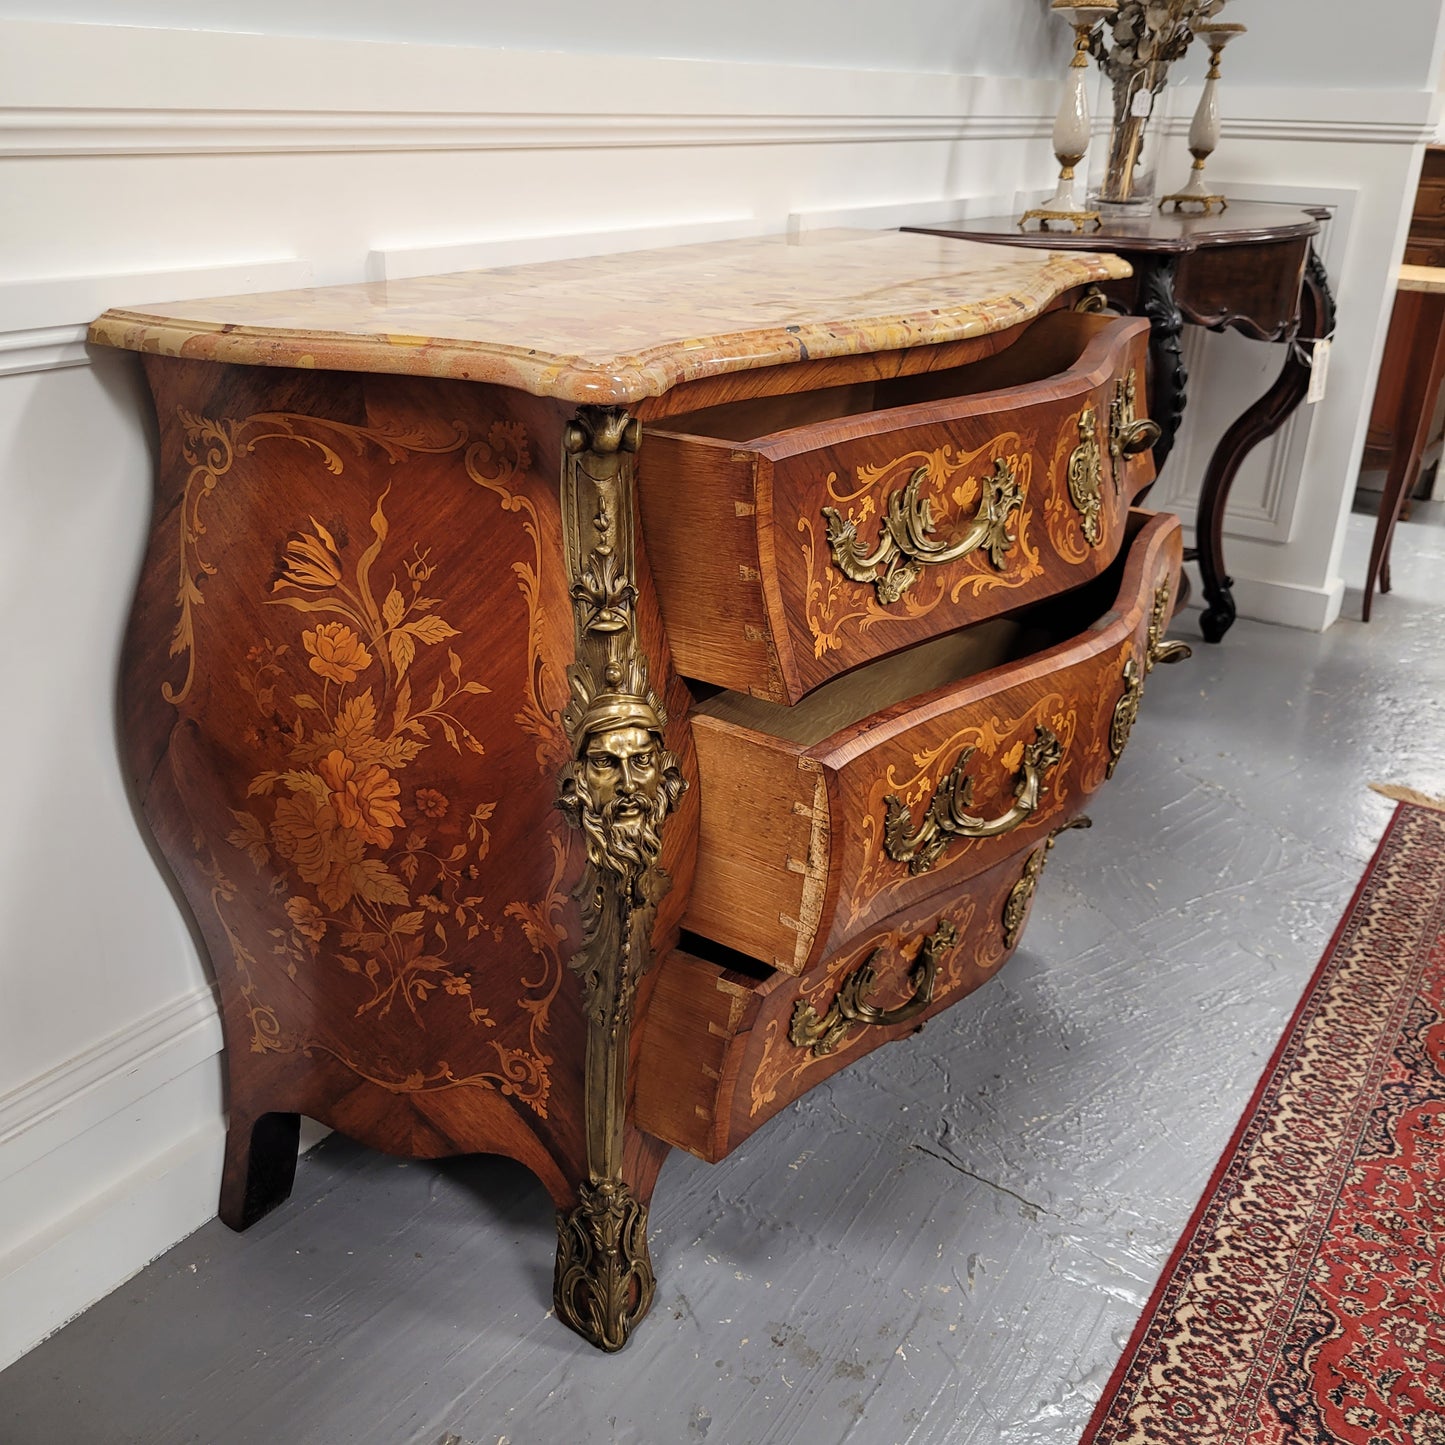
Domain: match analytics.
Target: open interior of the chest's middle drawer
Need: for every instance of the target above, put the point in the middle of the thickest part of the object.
(939, 664)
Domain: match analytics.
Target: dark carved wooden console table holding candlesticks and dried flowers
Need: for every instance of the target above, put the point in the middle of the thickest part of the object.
(1252, 269)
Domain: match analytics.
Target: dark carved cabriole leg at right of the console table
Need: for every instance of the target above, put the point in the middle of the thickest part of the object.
(1317, 322)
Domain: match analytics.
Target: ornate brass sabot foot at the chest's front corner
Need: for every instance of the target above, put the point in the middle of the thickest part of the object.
(605, 1281)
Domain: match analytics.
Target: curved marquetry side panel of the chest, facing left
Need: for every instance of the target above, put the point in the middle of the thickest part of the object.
(342, 703)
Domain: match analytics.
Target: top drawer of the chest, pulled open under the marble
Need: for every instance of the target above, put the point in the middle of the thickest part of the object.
(837, 543)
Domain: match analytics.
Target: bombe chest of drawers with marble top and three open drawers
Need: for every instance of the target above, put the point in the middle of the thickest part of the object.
(589, 704)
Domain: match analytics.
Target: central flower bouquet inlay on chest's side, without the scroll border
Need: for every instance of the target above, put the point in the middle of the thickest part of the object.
(358, 845)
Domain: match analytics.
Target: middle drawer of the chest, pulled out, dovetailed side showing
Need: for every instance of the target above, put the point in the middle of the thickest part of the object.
(928, 794)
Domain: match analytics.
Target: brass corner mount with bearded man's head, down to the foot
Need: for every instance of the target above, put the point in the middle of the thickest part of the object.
(618, 790)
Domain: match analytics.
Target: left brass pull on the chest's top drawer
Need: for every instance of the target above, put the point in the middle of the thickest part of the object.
(907, 543)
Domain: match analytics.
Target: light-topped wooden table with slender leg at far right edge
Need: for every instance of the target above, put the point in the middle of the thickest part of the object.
(1417, 339)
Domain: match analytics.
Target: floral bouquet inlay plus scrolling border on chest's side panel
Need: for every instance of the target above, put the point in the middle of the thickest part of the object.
(375, 866)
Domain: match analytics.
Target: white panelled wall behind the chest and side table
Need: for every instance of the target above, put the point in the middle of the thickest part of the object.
(154, 164)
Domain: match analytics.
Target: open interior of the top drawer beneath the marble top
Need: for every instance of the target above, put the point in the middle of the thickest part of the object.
(1054, 343)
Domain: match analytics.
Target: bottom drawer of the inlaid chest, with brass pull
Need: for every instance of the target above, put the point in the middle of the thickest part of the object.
(722, 1054)
